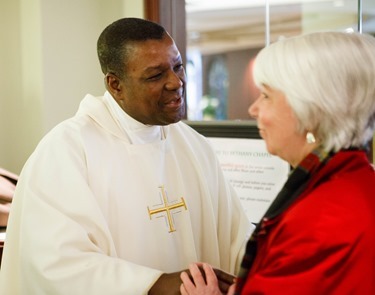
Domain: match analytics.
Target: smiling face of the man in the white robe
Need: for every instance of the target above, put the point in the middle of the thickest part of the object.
(153, 87)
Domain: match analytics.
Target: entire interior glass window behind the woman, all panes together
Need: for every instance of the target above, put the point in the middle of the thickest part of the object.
(224, 36)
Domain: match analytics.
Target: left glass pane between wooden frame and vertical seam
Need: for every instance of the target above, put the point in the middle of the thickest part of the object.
(222, 37)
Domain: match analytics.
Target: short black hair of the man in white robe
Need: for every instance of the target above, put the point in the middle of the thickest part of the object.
(112, 44)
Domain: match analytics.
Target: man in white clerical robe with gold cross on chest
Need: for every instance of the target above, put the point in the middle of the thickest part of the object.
(122, 197)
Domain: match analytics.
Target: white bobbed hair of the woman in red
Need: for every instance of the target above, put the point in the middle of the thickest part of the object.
(328, 79)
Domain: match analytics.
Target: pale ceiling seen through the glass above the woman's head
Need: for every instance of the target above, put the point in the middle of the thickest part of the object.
(215, 26)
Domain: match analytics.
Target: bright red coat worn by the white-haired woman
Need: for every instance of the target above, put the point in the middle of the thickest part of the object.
(324, 243)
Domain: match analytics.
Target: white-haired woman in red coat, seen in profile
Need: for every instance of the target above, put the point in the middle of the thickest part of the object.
(316, 111)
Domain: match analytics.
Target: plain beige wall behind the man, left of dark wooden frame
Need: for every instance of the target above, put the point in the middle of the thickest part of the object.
(47, 64)
